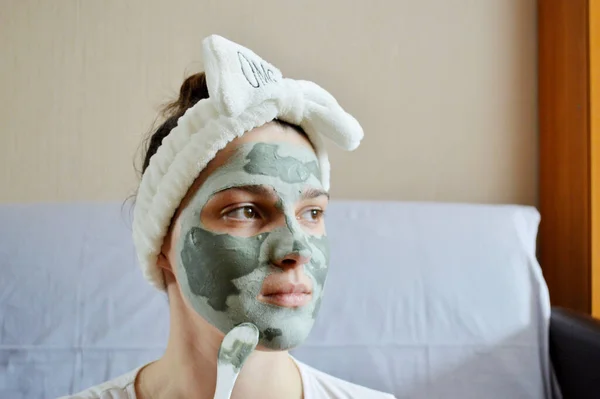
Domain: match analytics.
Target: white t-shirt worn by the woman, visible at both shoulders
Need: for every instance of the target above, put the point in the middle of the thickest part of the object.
(316, 385)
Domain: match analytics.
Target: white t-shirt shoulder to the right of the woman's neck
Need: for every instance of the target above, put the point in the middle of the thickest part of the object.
(319, 385)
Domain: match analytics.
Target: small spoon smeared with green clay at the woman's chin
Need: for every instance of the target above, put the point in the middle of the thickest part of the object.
(236, 347)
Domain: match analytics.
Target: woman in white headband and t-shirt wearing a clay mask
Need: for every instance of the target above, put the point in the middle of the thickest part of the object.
(229, 222)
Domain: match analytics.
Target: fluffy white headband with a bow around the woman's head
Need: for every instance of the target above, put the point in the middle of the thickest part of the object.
(245, 92)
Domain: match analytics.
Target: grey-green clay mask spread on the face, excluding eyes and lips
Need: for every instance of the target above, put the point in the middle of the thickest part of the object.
(222, 275)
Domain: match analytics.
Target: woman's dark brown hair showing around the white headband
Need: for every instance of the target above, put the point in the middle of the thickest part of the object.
(192, 90)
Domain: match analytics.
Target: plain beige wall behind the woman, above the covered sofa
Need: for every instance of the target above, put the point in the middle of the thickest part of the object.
(445, 89)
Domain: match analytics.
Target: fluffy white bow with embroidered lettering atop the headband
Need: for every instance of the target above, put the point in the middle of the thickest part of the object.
(238, 79)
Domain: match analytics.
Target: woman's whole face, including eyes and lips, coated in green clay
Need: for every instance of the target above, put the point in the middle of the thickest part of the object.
(249, 243)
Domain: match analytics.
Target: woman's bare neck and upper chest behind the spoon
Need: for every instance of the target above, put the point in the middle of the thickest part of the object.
(188, 368)
